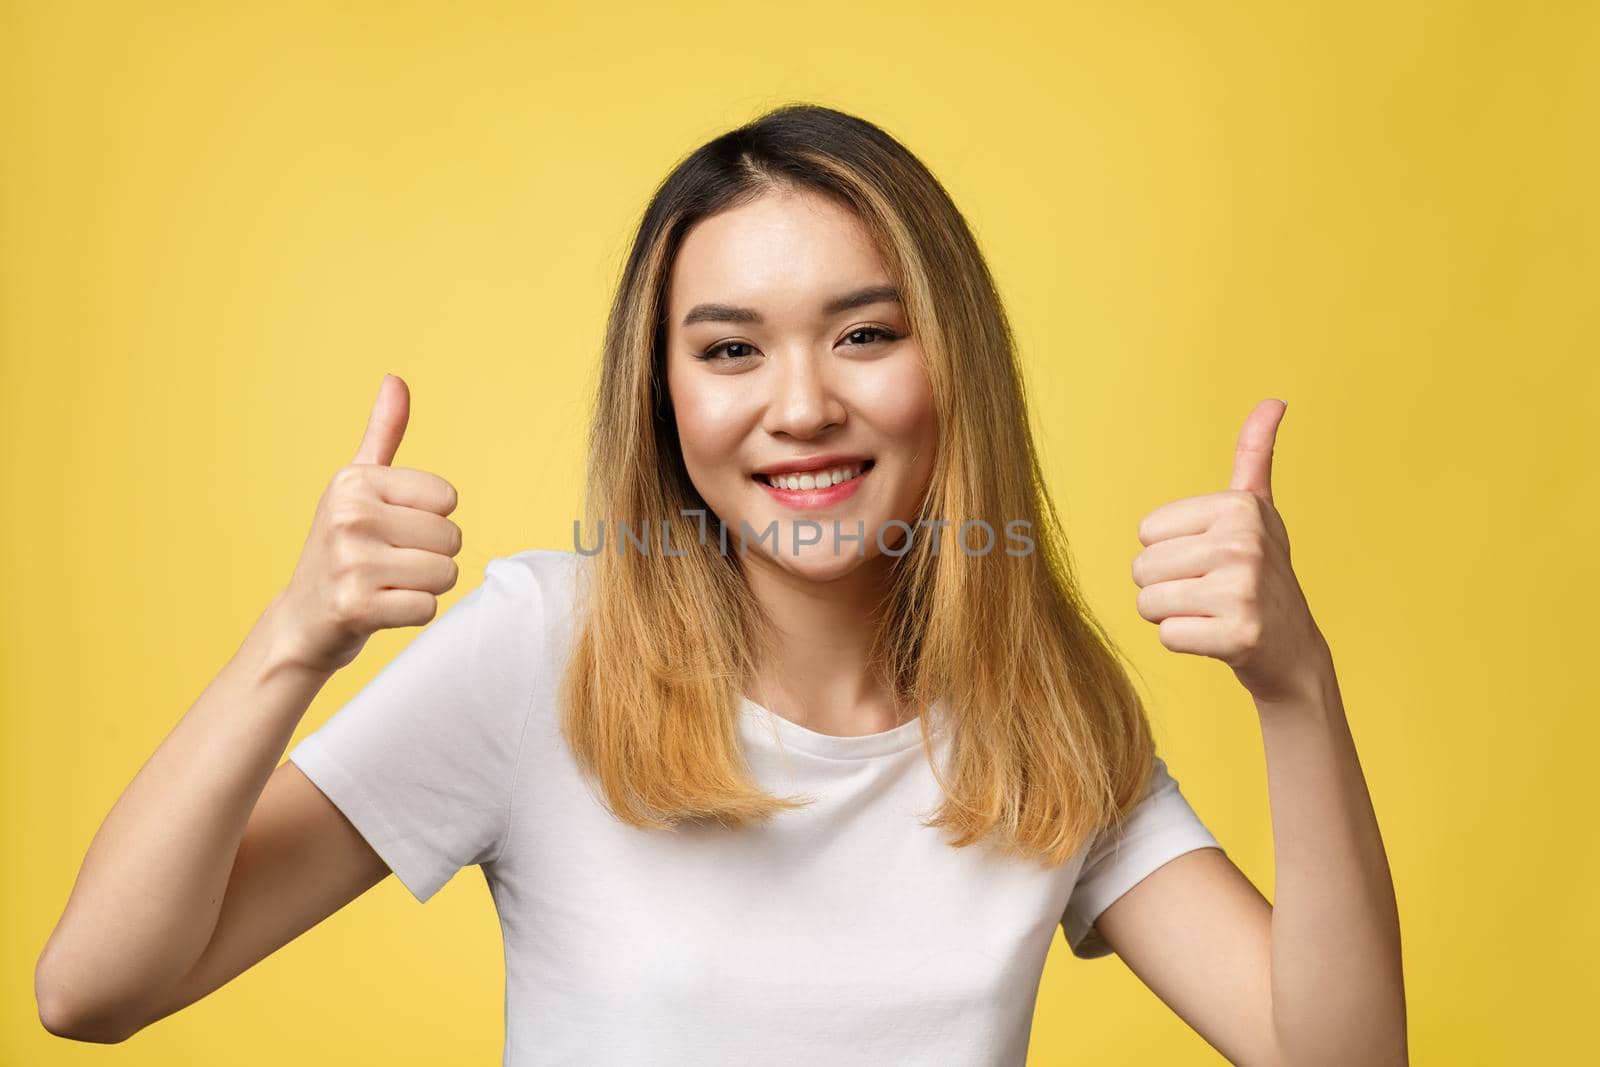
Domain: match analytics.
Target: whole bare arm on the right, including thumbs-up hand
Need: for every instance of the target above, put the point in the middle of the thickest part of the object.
(1316, 978)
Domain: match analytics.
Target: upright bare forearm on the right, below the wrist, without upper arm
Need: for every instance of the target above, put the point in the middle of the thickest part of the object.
(1338, 993)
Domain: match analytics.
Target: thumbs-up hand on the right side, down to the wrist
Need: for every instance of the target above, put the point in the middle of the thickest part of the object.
(1215, 575)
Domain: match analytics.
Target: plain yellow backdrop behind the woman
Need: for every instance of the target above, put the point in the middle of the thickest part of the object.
(225, 223)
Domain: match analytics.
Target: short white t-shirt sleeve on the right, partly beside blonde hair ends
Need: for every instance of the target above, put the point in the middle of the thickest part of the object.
(1161, 828)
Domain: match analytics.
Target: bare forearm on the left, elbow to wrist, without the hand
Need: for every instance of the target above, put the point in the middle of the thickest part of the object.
(153, 882)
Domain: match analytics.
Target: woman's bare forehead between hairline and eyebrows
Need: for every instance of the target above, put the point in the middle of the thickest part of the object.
(785, 249)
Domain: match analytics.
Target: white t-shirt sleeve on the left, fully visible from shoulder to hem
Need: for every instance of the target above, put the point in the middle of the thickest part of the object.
(423, 761)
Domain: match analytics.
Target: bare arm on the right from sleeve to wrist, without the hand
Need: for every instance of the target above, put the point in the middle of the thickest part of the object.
(1316, 980)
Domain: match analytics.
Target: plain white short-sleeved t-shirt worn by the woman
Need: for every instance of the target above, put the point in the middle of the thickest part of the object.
(844, 933)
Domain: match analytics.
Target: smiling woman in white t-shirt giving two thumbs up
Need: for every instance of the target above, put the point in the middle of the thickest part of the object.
(809, 746)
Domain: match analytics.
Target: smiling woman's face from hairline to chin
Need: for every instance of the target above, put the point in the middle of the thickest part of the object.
(786, 346)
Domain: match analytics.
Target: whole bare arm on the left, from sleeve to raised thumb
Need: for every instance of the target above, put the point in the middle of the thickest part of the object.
(215, 855)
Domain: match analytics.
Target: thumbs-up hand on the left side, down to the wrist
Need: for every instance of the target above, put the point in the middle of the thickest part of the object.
(380, 548)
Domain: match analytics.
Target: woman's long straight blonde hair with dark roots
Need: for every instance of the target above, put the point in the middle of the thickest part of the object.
(1049, 737)
